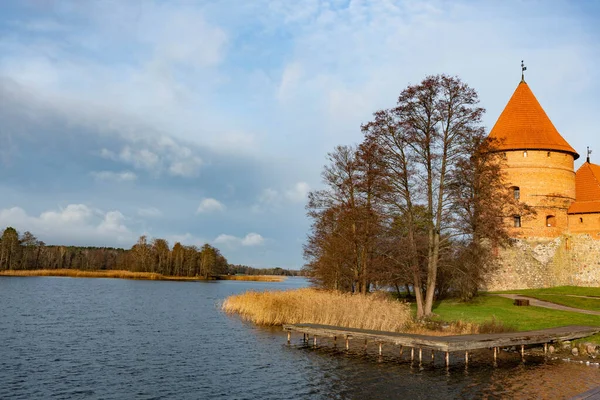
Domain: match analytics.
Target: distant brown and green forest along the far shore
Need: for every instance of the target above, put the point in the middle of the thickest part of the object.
(26, 252)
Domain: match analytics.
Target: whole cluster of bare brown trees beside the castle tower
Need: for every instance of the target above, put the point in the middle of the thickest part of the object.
(421, 203)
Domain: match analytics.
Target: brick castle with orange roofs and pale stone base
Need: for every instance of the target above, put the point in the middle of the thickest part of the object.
(560, 244)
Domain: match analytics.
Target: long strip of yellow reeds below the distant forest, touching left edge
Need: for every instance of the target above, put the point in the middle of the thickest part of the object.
(75, 273)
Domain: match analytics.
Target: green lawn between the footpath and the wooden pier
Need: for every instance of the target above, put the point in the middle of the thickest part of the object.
(485, 308)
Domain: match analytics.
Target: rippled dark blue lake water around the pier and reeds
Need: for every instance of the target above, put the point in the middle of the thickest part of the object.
(65, 338)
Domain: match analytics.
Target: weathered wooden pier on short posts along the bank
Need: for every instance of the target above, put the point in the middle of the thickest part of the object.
(445, 344)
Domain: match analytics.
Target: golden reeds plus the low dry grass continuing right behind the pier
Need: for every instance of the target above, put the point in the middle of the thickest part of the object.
(378, 311)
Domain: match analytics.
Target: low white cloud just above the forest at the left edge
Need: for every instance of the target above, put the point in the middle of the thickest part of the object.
(74, 224)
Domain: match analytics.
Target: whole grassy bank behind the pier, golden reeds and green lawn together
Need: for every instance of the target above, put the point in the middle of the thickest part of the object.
(484, 314)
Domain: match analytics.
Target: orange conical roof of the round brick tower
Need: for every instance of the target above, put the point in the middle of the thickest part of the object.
(524, 125)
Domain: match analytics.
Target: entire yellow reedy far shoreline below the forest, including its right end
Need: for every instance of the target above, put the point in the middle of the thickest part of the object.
(124, 274)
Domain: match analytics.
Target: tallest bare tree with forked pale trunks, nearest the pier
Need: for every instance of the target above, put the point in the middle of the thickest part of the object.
(426, 136)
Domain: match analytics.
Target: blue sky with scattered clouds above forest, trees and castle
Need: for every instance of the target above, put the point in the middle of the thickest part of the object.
(210, 121)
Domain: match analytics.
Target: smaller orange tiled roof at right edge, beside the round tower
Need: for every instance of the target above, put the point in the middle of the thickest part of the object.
(587, 189)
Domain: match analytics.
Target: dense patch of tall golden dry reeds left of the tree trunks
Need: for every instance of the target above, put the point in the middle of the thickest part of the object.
(320, 307)
